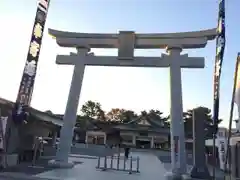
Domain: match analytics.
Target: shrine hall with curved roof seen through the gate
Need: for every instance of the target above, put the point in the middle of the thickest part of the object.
(140, 132)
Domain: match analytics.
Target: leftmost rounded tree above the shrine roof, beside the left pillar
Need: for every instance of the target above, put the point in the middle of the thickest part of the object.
(93, 110)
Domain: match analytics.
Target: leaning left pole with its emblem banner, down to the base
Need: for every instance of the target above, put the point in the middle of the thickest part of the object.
(23, 100)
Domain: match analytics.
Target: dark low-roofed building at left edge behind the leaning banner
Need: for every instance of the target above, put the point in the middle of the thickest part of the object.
(38, 124)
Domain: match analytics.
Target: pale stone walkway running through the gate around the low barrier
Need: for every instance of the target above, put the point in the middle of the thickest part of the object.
(150, 168)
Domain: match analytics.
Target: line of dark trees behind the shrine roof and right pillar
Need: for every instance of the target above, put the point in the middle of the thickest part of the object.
(93, 110)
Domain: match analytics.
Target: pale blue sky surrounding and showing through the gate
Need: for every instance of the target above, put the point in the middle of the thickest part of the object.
(130, 88)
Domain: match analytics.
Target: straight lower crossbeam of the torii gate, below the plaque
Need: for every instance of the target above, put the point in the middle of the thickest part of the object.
(163, 61)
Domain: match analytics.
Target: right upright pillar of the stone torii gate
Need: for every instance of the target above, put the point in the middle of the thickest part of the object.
(176, 111)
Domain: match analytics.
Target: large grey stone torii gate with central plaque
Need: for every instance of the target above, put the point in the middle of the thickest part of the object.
(126, 42)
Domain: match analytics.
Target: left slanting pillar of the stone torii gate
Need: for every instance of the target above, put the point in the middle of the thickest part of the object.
(70, 115)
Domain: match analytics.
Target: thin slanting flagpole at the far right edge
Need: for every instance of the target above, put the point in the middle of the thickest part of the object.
(231, 111)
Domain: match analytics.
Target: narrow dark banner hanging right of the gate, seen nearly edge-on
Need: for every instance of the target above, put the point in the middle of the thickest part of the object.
(220, 46)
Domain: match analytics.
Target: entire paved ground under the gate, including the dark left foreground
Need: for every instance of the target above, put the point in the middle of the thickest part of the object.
(152, 165)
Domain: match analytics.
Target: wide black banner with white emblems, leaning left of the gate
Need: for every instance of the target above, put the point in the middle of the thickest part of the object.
(29, 73)
